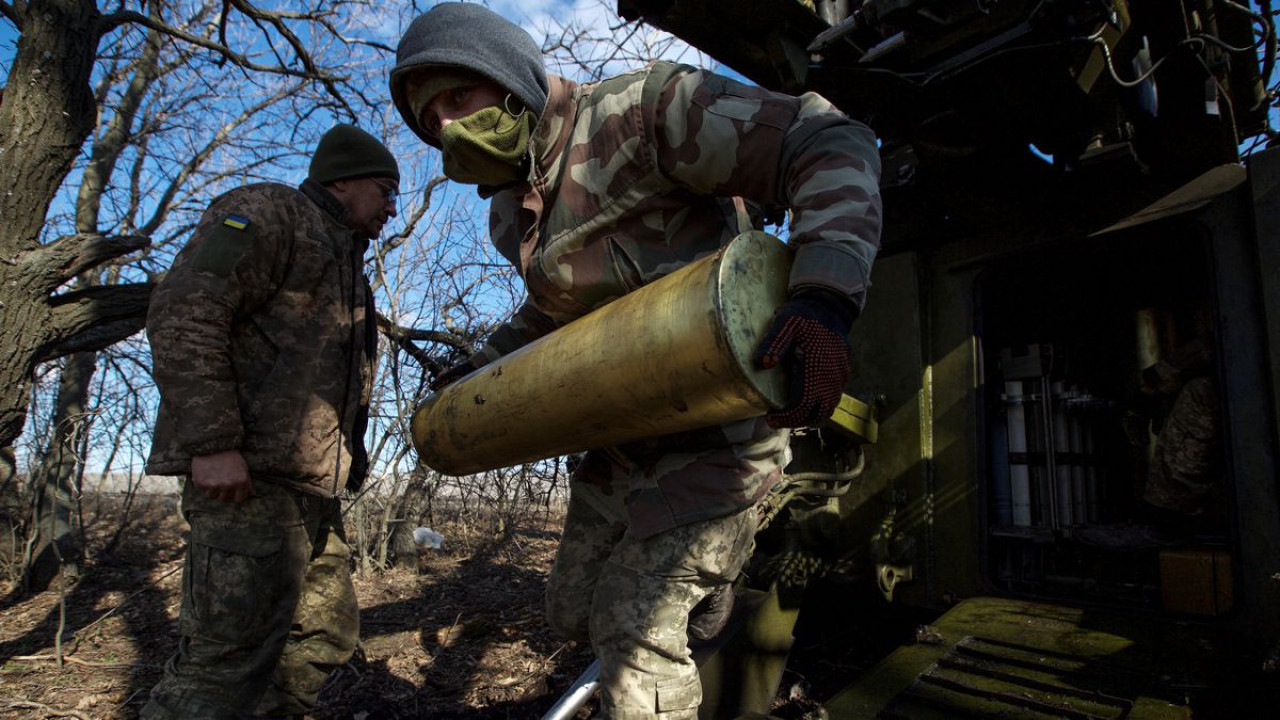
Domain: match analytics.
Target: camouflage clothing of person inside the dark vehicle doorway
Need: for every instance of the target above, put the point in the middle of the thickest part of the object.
(1186, 466)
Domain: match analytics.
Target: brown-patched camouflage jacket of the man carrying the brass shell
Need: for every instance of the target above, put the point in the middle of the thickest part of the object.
(641, 175)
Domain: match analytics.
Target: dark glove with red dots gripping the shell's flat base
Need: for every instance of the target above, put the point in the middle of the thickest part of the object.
(810, 339)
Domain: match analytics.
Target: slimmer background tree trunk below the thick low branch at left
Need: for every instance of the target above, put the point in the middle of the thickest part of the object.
(57, 544)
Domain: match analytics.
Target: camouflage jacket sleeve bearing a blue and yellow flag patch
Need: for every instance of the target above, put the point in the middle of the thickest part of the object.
(228, 267)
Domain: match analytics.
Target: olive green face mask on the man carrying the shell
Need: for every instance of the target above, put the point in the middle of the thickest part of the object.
(487, 147)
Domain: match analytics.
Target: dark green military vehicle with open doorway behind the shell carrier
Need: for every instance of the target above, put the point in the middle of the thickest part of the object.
(1067, 204)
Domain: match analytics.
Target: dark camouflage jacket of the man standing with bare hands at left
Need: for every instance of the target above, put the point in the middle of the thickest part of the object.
(263, 340)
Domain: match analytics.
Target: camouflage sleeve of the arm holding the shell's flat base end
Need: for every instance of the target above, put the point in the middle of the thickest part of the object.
(723, 138)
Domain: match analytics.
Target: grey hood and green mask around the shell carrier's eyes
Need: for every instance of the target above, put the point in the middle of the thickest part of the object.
(438, 52)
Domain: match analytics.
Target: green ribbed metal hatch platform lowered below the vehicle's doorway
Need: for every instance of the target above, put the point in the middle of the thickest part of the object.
(991, 658)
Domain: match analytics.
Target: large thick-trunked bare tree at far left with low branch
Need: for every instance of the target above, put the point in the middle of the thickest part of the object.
(49, 112)
